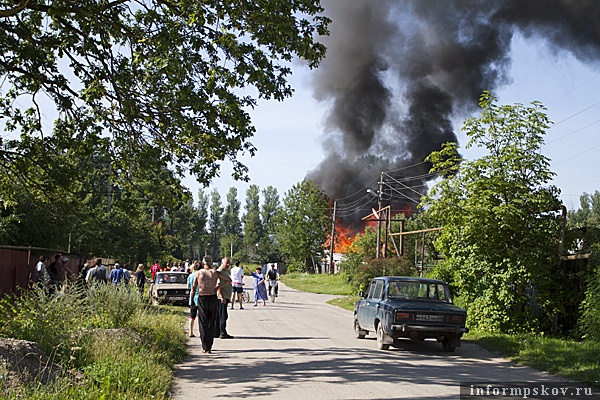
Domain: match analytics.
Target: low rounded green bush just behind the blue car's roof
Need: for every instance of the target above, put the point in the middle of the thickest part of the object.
(392, 266)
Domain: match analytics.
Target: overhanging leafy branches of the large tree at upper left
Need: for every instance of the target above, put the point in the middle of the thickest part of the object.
(169, 83)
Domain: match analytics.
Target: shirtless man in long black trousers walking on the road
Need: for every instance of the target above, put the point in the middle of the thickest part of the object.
(205, 281)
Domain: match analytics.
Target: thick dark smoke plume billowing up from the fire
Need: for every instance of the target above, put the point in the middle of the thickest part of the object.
(398, 72)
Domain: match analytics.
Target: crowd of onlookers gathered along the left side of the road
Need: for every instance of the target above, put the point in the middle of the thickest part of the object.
(213, 291)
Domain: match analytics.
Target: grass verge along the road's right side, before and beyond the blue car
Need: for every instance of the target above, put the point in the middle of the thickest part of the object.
(579, 361)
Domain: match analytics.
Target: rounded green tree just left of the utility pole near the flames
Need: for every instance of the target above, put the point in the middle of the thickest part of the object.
(303, 226)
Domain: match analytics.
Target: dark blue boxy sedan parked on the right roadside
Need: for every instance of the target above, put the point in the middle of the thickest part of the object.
(406, 307)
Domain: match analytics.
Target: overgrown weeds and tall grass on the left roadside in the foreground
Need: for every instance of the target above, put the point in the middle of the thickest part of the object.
(133, 361)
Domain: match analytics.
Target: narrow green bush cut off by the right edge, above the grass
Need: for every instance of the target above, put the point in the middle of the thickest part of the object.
(589, 321)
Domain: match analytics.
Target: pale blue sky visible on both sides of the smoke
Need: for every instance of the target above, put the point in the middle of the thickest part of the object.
(289, 134)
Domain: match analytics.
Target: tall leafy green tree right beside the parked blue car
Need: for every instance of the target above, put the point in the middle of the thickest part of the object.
(501, 230)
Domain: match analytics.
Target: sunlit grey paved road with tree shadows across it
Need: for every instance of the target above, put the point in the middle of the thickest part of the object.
(302, 348)
